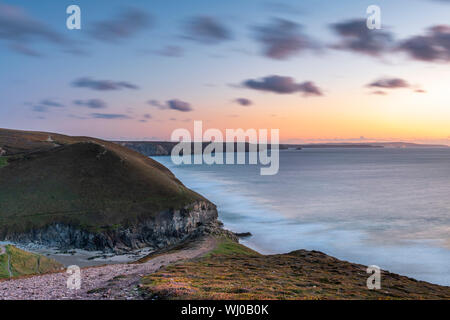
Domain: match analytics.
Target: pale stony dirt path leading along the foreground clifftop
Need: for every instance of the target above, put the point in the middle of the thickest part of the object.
(117, 281)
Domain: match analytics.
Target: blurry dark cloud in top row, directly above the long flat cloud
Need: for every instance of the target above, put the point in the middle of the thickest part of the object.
(282, 39)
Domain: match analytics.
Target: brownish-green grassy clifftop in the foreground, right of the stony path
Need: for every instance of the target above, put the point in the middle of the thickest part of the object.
(233, 271)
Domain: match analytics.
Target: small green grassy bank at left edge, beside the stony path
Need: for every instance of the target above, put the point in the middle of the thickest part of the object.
(15, 262)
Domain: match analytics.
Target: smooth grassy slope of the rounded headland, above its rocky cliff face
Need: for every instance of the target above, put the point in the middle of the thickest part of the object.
(91, 183)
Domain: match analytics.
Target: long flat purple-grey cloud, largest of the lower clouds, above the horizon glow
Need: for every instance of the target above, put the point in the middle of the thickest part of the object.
(283, 85)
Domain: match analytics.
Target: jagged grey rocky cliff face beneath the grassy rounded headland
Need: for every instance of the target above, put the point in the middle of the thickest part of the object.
(167, 228)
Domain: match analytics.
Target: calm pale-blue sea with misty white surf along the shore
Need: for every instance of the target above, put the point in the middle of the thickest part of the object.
(387, 207)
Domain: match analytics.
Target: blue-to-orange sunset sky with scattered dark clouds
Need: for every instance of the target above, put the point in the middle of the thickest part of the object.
(137, 70)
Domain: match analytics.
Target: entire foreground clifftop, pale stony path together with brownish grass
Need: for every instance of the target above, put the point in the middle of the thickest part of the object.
(216, 266)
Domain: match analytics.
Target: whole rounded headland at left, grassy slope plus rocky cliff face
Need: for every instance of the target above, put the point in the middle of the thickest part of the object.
(86, 193)
